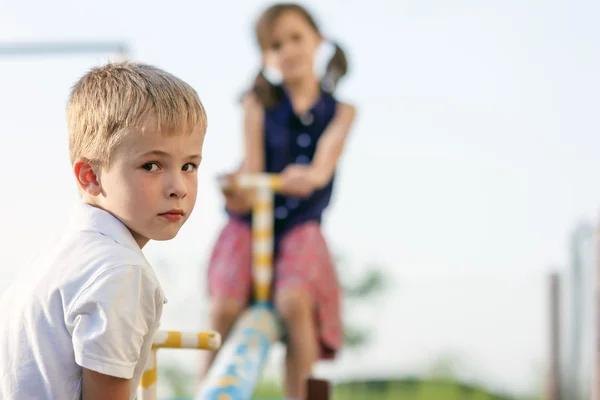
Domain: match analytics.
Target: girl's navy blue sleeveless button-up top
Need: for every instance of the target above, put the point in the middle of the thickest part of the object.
(292, 139)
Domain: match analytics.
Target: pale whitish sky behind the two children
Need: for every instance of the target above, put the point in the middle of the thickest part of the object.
(473, 157)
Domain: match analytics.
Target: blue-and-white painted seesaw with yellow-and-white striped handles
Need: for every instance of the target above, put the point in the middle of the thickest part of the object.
(240, 361)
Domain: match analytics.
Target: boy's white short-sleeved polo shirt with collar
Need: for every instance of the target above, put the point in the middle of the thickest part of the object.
(93, 301)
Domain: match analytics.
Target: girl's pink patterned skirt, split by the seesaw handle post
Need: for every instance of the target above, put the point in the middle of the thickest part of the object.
(303, 260)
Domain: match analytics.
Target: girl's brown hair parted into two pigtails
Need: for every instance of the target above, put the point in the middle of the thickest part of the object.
(268, 94)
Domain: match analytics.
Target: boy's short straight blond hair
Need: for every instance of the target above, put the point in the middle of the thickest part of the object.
(111, 100)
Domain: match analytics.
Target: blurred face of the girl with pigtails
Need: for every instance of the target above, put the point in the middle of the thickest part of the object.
(292, 47)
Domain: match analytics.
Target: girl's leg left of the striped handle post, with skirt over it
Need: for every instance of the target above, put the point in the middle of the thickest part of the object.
(229, 280)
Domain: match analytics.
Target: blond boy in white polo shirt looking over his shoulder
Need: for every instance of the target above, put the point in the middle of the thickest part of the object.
(80, 325)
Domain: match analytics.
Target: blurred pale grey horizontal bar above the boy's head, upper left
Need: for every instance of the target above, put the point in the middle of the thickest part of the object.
(25, 49)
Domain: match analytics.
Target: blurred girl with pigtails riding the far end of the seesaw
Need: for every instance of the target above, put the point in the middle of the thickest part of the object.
(293, 126)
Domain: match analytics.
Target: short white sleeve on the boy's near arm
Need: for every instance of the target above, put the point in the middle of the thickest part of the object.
(111, 318)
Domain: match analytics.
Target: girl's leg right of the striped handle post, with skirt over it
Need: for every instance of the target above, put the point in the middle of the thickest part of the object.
(307, 298)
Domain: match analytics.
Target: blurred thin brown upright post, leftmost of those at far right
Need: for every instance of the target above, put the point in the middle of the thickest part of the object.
(554, 390)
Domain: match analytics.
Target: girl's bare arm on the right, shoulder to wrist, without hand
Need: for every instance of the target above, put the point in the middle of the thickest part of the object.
(331, 145)
